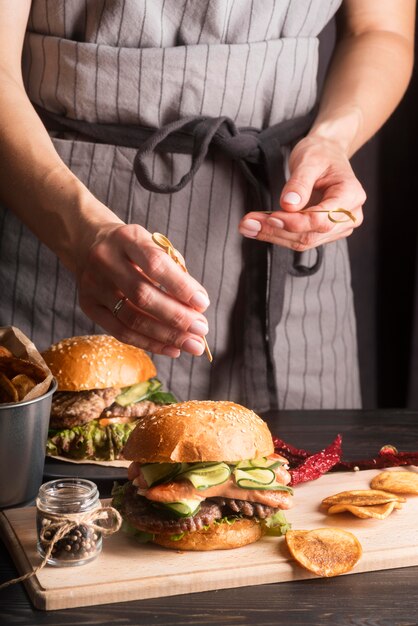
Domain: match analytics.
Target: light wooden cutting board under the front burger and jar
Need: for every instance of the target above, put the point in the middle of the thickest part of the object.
(126, 570)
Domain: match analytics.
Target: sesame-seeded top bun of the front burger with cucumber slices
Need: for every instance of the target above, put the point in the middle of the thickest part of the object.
(194, 431)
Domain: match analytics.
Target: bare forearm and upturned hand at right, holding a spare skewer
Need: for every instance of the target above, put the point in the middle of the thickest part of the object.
(368, 75)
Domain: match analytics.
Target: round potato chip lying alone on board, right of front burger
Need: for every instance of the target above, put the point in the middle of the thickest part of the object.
(324, 551)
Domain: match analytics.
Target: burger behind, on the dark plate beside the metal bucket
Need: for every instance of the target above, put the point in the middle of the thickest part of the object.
(104, 386)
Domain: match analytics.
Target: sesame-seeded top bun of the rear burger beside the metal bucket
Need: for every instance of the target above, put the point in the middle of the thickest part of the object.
(97, 362)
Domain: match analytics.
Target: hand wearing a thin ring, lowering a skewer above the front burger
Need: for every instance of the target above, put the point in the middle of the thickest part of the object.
(163, 310)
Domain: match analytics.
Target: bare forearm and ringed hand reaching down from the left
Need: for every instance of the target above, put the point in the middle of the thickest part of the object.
(111, 260)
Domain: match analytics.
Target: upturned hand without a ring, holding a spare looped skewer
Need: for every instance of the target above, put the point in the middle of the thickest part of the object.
(321, 180)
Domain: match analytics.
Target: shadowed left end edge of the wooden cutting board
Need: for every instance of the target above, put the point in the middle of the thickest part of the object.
(15, 549)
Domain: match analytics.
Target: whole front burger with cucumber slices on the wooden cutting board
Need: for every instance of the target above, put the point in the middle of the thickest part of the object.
(204, 476)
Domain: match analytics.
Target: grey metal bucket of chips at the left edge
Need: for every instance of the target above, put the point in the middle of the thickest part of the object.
(23, 435)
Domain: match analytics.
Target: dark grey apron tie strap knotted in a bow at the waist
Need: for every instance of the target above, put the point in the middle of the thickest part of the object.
(258, 153)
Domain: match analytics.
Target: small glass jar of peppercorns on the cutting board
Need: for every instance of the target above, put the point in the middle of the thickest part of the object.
(64, 518)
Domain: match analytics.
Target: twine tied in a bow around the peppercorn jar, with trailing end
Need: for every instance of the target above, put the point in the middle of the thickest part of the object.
(64, 524)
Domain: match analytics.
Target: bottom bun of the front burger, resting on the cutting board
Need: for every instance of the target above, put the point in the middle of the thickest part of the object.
(218, 537)
